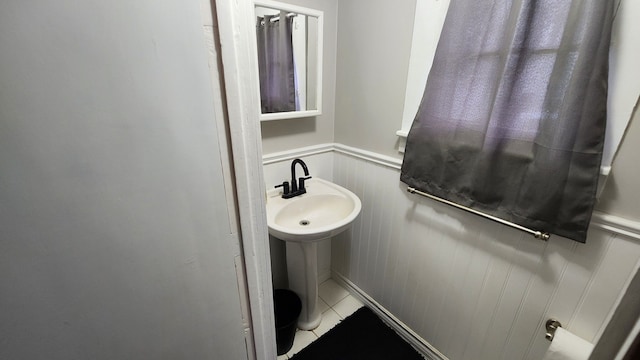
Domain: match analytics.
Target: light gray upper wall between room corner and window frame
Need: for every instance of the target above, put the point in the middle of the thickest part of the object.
(374, 44)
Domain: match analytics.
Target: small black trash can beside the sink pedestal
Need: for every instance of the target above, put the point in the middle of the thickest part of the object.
(287, 307)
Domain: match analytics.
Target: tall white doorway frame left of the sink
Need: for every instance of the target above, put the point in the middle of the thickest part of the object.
(235, 25)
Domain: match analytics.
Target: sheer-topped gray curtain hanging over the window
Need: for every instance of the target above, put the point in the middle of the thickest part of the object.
(513, 116)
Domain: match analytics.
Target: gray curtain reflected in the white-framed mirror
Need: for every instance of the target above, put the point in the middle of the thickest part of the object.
(275, 62)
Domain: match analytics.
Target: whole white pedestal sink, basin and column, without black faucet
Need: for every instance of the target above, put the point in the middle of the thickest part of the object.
(325, 210)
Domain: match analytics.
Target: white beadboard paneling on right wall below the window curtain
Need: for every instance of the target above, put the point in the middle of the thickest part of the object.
(471, 288)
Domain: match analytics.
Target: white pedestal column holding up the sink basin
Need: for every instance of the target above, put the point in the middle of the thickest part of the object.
(302, 269)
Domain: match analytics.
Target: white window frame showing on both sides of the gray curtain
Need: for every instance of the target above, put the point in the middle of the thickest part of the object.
(624, 74)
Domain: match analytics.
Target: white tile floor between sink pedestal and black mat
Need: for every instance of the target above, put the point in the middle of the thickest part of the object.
(335, 304)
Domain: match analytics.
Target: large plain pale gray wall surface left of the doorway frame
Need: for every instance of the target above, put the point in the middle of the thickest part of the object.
(116, 240)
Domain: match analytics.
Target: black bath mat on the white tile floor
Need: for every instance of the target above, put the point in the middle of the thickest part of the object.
(360, 336)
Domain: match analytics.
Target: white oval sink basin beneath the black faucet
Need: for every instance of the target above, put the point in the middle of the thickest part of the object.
(325, 210)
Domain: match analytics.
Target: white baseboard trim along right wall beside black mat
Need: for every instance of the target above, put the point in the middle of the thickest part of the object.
(428, 350)
